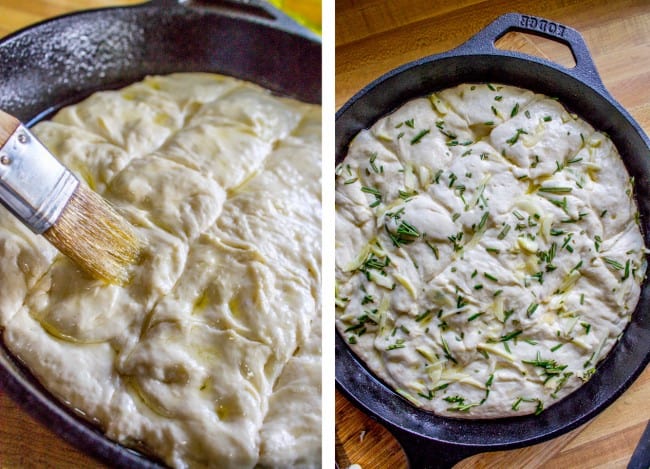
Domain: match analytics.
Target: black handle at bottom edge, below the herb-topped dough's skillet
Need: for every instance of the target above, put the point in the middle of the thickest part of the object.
(423, 453)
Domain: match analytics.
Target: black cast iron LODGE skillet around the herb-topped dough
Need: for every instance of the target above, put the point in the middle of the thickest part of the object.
(432, 441)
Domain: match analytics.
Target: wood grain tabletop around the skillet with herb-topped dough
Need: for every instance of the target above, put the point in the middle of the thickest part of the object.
(373, 37)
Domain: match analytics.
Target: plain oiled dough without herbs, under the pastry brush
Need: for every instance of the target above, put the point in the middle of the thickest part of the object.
(211, 355)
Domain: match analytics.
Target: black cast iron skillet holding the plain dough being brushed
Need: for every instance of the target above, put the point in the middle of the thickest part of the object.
(61, 61)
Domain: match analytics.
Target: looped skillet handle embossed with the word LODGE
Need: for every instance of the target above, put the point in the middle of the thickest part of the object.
(484, 42)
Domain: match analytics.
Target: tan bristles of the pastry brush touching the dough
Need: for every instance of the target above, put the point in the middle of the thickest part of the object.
(95, 236)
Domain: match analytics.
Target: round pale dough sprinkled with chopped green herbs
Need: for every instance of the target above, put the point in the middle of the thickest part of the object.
(488, 250)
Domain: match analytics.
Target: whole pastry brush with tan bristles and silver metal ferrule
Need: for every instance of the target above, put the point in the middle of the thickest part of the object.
(43, 194)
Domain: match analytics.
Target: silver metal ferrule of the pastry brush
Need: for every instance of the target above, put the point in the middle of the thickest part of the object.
(34, 186)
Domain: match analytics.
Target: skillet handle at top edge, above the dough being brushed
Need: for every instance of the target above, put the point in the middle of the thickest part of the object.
(259, 10)
